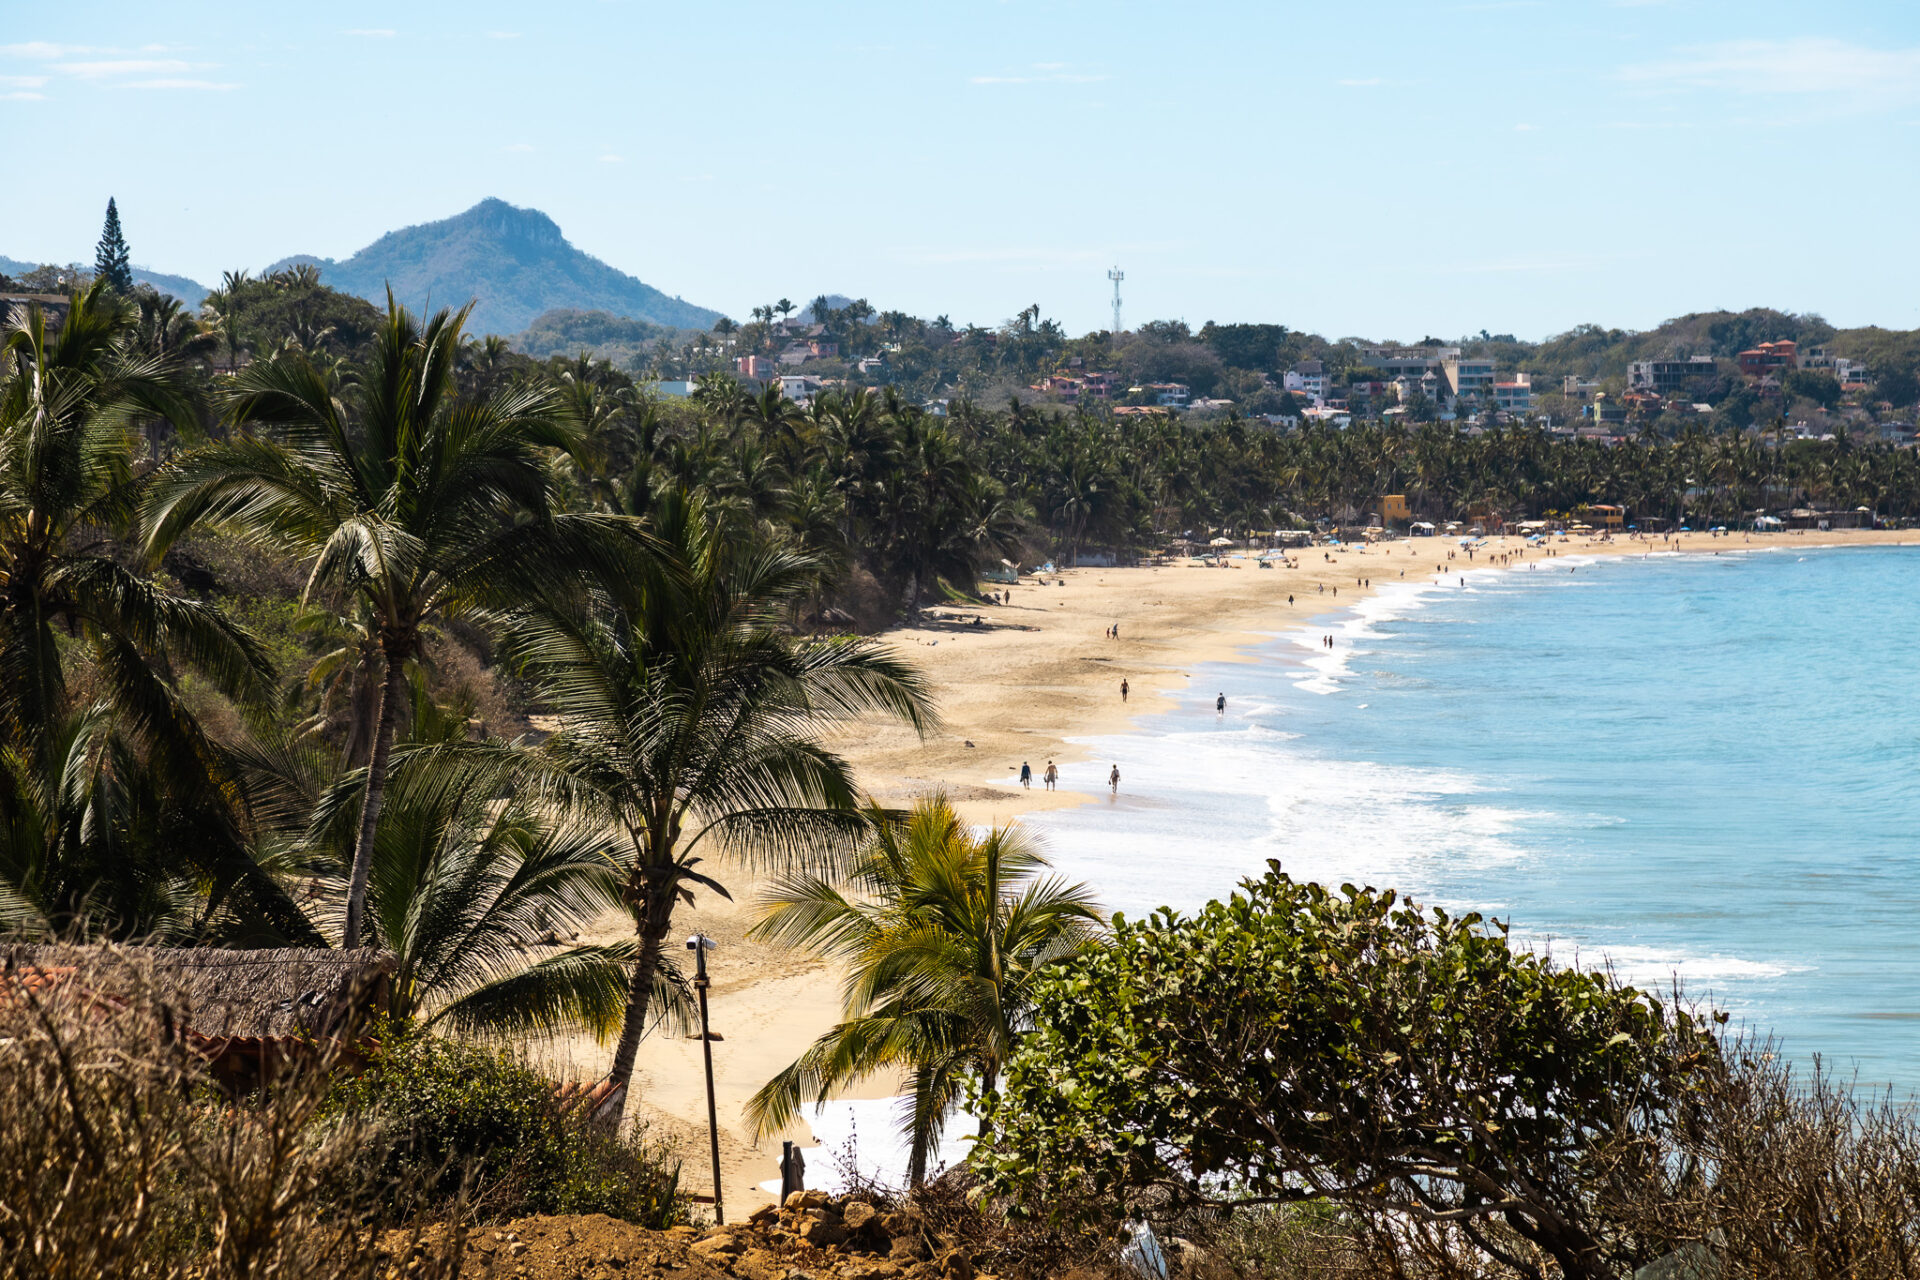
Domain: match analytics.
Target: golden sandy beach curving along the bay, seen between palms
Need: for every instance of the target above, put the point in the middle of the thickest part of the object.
(1015, 688)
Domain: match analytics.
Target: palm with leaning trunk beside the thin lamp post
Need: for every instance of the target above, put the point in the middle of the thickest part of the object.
(690, 719)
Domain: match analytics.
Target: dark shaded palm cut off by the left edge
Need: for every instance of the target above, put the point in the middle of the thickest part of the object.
(68, 412)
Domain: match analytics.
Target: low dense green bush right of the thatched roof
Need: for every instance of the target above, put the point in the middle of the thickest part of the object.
(462, 1120)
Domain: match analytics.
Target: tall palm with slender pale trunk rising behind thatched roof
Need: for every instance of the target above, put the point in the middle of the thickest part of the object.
(408, 496)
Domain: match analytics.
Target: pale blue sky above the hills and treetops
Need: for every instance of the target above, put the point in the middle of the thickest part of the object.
(1364, 168)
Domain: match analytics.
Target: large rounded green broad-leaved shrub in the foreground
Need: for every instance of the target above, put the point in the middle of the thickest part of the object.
(1299, 1045)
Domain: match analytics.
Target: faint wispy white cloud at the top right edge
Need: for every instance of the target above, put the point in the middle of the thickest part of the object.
(1804, 66)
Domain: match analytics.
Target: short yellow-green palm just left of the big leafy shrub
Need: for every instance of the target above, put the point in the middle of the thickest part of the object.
(944, 943)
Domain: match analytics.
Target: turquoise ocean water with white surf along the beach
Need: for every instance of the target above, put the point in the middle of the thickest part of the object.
(1683, 767)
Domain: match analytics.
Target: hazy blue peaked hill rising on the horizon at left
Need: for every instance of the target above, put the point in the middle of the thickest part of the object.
(516, 266)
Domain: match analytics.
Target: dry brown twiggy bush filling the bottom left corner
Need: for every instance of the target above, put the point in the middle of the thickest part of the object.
(120, 1160)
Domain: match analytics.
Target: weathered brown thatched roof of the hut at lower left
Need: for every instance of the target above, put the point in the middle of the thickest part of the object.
(241, 995)
